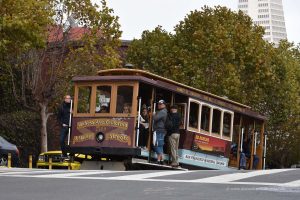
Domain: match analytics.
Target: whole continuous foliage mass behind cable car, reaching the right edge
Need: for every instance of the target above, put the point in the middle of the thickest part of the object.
(223, 52)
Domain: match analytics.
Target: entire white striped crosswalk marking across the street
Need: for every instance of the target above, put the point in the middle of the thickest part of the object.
(230, 179)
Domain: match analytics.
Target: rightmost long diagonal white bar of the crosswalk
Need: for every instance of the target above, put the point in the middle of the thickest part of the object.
(238, 176)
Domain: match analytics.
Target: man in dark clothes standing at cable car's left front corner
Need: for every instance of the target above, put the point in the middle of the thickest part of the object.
(64, 118)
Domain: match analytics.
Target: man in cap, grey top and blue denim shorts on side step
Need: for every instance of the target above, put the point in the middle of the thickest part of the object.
(159, 120)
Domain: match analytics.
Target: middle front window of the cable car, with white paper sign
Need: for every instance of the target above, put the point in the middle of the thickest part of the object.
(103, 97)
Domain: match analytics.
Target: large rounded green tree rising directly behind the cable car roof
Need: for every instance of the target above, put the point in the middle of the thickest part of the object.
(214, 48)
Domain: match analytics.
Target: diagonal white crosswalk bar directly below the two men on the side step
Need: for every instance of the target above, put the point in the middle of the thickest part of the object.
(148, 175)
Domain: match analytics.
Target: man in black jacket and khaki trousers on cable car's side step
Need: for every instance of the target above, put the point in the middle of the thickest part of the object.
(174, 135)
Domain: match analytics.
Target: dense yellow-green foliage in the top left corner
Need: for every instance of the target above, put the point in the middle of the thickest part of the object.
(22, 24)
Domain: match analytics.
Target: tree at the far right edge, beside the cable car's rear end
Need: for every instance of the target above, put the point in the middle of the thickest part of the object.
(282, 105)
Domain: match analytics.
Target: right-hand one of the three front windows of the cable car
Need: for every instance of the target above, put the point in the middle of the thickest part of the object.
(124, 99)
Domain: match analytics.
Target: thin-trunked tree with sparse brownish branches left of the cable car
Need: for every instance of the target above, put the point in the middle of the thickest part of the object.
(75, 27)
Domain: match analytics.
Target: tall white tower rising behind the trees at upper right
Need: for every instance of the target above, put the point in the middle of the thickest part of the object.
(268, 14)
